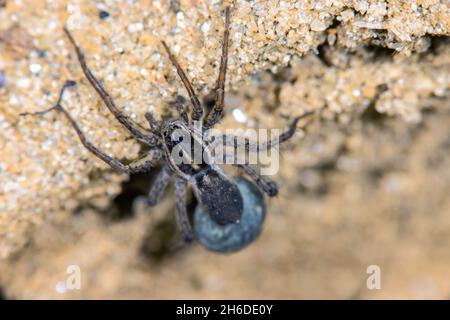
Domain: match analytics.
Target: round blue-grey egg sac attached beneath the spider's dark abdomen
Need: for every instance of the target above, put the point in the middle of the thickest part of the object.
(235, 236)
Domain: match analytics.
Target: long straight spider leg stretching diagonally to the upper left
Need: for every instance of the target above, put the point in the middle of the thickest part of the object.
(133, 128)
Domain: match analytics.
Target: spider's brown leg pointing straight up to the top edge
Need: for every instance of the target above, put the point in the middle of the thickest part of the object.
(217, 112)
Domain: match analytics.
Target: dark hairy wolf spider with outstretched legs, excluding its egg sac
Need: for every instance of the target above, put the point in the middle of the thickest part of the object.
(216, 192)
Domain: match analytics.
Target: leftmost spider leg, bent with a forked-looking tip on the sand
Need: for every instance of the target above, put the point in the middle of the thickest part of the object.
(113, 163)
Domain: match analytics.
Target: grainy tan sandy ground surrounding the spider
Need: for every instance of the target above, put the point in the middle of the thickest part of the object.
(364, 184)
